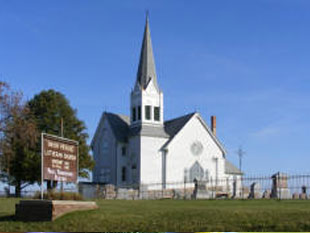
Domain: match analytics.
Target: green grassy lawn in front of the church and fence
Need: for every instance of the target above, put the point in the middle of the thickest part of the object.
(172, 215)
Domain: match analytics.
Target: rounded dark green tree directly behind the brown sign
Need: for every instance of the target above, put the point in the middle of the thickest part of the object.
(49, 108)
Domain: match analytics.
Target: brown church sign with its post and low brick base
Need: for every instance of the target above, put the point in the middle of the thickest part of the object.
(59, 161)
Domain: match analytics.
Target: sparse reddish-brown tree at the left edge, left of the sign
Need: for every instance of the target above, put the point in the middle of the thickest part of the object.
(19, 162)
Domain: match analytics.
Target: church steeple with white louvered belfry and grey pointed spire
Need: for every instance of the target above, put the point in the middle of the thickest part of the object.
(146, 99)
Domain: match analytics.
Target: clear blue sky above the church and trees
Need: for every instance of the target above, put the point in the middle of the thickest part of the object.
(247, 62)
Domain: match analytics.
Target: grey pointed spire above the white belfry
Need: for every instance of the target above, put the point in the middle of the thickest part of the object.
(146, 71)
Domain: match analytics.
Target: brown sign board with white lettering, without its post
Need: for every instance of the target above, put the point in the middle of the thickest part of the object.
(59, 158)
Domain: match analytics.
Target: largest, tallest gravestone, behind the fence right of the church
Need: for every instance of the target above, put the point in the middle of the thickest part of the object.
(279, 186)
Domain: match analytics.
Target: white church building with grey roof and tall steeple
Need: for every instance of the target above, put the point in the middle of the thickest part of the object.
(144, 149)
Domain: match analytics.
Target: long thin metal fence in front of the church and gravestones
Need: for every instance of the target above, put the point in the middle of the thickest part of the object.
(279, 185)
